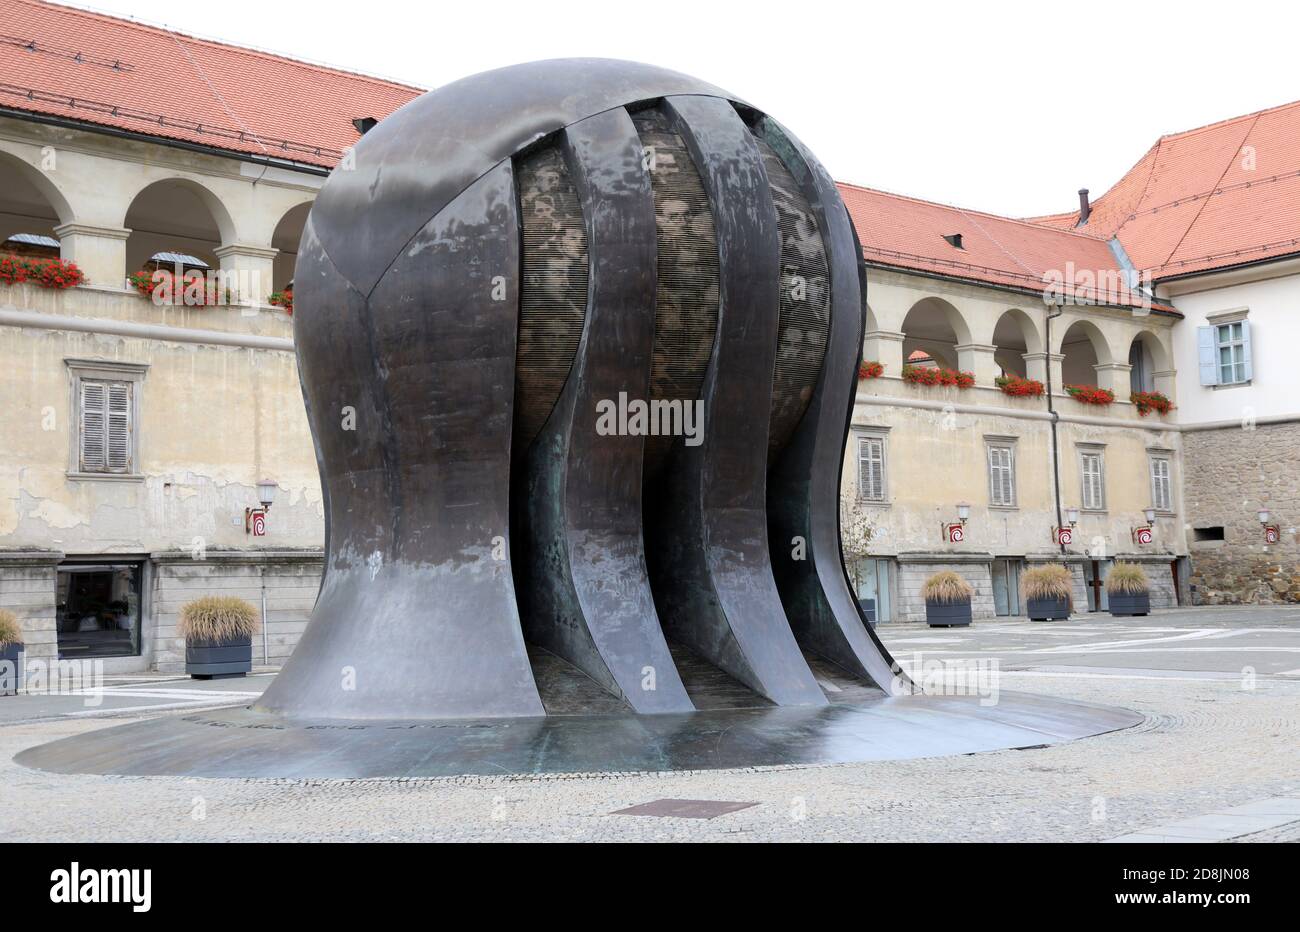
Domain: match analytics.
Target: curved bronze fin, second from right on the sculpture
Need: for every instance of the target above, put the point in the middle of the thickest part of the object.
(712, 570)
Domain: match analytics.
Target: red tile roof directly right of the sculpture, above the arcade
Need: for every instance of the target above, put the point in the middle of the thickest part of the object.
(909, 235)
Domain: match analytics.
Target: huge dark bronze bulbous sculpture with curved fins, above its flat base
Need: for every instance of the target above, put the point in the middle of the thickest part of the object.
(579, 344)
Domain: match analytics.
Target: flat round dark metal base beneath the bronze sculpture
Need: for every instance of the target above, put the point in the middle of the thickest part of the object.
(250, 744)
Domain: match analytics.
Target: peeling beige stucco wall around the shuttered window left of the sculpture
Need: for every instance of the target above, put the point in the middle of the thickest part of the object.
(214, 421)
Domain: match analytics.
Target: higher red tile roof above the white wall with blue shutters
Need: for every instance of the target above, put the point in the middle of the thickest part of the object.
(1210, 198)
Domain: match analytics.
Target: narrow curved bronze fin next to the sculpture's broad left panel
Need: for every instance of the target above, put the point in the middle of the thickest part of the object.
(588, 591)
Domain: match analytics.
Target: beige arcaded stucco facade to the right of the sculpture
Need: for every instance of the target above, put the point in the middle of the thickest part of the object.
(937, 440)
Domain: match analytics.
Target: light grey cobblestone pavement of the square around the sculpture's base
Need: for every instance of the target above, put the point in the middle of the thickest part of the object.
(1215, 738)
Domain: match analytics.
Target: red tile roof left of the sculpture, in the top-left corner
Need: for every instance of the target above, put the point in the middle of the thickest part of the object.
(86, 67)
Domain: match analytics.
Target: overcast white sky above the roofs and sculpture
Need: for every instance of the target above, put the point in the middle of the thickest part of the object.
(1004, 107)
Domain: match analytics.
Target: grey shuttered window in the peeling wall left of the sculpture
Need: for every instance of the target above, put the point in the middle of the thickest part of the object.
(106, 414)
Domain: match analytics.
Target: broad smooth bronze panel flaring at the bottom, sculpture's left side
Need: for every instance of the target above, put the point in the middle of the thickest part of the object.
(418, 615)
